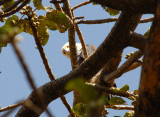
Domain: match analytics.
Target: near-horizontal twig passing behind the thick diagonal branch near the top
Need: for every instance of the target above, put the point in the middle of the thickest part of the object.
(109, 20)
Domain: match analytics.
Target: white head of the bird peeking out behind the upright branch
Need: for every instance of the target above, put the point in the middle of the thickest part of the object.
(66, 51)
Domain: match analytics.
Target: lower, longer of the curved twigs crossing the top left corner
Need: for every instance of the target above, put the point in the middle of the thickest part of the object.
(14, 10)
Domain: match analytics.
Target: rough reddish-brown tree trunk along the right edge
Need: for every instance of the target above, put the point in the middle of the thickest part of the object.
(149, 96)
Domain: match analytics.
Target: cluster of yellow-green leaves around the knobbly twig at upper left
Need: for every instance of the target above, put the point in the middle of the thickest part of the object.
(53, 20)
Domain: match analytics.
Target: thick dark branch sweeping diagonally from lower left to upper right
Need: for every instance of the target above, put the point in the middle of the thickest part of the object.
(115, 42)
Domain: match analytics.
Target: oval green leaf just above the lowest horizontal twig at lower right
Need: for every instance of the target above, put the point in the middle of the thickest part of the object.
(116, 101)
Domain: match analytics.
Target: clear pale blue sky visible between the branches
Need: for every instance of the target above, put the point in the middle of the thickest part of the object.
(13, 84)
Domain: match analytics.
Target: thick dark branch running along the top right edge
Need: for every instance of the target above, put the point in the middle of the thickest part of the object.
(132, 6)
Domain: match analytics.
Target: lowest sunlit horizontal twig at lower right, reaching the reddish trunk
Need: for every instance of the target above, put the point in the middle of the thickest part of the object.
(119, 107)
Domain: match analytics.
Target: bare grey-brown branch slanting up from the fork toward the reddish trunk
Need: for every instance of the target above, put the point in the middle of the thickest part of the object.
(123, 67)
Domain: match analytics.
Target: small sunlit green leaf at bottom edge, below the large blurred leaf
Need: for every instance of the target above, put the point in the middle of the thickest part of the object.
(80, 109)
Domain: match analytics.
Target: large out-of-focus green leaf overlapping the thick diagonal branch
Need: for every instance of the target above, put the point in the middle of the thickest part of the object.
(87, 93)
